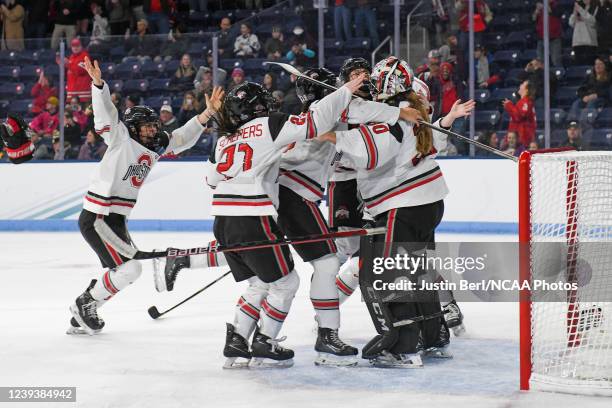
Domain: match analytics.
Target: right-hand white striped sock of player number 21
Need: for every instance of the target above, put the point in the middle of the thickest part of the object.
(277, 304)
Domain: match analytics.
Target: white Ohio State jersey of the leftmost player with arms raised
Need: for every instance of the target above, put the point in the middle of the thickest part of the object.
(117, 180)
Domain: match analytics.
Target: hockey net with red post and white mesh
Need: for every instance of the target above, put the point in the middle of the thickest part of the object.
(565, 229)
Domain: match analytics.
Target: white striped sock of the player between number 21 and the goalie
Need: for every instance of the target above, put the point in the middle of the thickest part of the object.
(323, 291)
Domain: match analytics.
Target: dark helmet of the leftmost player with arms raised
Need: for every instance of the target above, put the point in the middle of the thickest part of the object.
(140, 116)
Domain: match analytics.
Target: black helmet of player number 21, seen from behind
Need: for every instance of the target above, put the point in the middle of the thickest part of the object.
(246, 102)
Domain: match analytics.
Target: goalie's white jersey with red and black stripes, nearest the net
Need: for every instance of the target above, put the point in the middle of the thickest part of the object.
(390, 172)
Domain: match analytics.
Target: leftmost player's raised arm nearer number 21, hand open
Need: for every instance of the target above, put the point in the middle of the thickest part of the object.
(187, 135)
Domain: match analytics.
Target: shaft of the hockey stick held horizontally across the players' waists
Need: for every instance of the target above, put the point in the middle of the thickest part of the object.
(247, 246)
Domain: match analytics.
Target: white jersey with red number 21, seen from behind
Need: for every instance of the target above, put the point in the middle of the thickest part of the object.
(245, 167)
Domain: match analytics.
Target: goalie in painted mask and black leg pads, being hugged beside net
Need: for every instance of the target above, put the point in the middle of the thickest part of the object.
(403, 188)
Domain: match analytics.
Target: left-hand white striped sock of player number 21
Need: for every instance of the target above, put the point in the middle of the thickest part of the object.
(248, 307)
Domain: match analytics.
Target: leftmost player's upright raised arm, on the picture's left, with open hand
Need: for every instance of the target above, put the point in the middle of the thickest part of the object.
(106, 117)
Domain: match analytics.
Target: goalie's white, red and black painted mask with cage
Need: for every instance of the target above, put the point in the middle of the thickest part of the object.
(392, 77)
